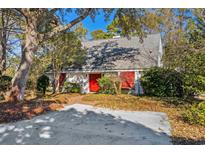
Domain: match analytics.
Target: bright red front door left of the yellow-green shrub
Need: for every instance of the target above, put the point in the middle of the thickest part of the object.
(93, 83)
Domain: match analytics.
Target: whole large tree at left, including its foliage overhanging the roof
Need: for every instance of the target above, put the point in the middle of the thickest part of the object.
(39, 25)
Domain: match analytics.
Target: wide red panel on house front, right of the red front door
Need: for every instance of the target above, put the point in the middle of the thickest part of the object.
(128, 79)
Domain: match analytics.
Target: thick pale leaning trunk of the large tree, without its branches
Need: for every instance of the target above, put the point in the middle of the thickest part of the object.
(28, 48)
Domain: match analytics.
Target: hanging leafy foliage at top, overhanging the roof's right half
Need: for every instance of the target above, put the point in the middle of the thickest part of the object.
(137, 22)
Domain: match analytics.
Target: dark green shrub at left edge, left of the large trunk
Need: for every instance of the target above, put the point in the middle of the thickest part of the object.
(5, 82)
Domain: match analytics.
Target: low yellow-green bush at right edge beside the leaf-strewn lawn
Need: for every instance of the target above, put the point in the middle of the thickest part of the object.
(196, 114)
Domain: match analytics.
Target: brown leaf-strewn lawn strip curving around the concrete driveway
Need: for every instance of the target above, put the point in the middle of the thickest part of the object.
(182, 133)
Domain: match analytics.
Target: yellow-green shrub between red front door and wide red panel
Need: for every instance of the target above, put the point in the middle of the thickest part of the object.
(106, 85)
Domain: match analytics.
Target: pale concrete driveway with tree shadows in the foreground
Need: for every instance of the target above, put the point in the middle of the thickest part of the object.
(84, 124)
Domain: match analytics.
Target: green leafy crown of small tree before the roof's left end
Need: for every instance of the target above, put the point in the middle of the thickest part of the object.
(66, 50)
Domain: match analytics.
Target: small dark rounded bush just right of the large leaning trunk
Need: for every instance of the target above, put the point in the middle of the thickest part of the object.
(42, 84)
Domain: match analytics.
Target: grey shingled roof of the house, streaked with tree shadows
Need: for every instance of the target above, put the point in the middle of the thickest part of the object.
(120, 54)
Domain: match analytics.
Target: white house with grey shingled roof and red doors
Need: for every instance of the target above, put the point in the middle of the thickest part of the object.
(127, 58)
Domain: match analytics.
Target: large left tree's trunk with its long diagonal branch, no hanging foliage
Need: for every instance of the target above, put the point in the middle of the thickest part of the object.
(39, 26)
